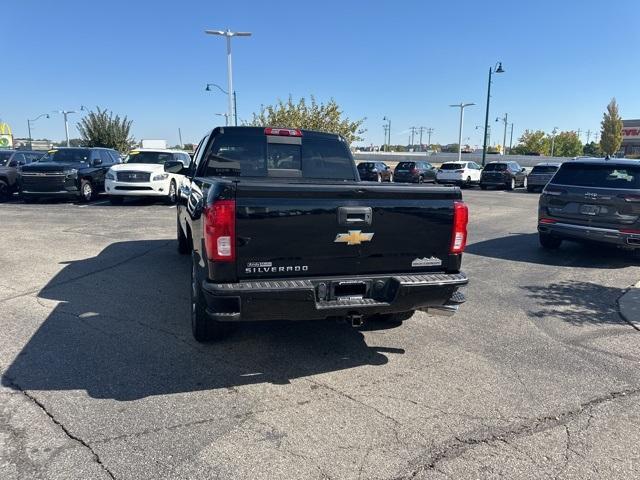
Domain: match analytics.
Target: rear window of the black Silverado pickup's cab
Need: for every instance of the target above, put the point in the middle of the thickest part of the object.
(251, 156)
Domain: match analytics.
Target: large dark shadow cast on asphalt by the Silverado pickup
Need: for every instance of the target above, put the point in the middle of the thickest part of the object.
(119, 328)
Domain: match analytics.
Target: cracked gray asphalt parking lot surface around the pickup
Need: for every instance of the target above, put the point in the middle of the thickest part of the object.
(537, 375)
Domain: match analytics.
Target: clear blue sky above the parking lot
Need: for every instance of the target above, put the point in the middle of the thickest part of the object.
(407, 60)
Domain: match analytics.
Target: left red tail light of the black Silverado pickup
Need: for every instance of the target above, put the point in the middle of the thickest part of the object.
(220, 231)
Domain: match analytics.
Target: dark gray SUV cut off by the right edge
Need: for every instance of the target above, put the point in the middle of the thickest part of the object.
(593, 200)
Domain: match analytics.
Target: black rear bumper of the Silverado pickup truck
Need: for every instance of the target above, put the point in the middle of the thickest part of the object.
(314, 299)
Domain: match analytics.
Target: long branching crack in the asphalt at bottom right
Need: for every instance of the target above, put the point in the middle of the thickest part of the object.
(460, 445)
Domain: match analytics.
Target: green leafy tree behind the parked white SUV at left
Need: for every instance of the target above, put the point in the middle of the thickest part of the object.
(102, 129)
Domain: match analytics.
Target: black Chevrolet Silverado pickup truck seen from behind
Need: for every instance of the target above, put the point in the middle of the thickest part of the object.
(280, 227)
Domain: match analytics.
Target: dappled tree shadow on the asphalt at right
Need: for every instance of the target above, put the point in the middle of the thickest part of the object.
(577, 303)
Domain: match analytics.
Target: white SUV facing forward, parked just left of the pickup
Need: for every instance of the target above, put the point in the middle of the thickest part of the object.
(143, 175)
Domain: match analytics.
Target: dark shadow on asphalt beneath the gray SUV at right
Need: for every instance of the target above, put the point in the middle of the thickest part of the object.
(524, 247)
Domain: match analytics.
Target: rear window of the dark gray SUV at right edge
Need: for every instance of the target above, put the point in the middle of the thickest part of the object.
(603, 176)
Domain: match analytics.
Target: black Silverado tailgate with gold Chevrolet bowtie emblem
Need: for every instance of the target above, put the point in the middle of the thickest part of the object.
(289, 230)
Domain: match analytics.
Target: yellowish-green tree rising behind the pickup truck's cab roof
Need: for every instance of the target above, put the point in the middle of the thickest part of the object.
(325, 117)
